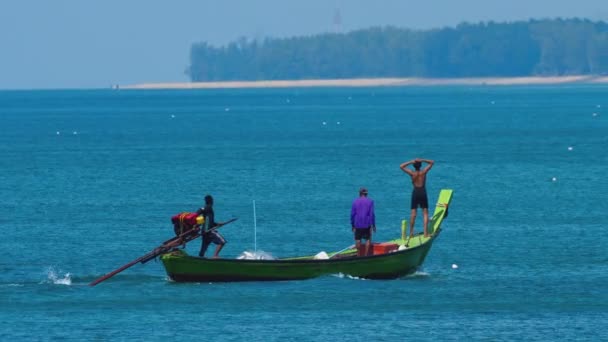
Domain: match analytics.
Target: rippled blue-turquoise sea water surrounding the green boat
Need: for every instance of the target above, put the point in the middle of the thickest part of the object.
(90, 179)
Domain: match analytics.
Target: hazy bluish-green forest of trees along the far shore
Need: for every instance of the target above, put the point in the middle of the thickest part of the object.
(553, 47)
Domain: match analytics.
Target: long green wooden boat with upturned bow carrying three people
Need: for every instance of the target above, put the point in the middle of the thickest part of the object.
(389, 260)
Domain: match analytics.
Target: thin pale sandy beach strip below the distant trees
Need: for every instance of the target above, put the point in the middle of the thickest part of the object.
(376, 82)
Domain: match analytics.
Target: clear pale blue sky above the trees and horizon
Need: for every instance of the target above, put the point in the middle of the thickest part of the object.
(61, 44)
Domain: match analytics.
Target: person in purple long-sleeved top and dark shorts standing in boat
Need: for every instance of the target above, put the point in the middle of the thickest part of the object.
(363, 220)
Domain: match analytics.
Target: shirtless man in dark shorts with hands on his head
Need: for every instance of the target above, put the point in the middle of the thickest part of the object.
(419, 197)
